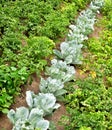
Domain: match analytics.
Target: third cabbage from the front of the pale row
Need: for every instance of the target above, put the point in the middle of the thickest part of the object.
(54, 86)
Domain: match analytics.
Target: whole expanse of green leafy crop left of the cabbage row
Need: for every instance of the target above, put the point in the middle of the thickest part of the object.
(25, 31)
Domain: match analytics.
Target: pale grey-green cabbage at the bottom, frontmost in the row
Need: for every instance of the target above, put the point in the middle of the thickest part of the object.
(24, 119)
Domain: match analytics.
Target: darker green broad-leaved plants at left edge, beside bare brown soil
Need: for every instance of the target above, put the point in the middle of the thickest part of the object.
(11, 79)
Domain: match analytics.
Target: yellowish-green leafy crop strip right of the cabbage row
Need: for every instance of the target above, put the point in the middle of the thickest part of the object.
(89, 102)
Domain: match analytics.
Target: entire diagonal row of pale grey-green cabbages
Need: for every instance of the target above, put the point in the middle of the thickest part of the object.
(52, 89)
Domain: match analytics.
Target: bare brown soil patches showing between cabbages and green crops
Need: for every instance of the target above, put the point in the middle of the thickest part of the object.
(5, 124)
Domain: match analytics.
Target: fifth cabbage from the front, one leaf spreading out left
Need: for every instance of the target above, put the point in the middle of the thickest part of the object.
(70, 52)
